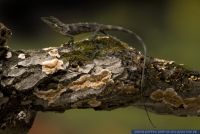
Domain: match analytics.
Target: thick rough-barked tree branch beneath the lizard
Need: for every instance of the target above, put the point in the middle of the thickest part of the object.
(102, 74)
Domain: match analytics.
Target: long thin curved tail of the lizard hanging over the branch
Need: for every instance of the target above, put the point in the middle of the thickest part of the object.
(118, 28)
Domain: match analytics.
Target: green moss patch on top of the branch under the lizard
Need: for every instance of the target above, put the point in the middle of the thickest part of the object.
(88, 50)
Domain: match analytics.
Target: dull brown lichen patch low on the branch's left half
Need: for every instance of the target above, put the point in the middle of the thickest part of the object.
(50, 95)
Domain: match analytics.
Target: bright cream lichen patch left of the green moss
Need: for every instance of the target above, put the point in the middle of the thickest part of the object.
(52, 66)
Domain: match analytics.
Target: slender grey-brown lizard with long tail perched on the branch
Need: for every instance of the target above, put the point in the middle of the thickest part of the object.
(77, 28)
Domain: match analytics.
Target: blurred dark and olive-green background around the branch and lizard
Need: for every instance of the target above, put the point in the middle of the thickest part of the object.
(170, 28)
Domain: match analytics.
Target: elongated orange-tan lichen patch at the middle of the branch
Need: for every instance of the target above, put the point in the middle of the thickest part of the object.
(92, 81)
